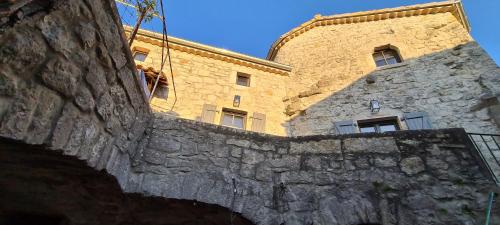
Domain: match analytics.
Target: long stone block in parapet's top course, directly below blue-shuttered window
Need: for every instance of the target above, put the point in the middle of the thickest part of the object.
(385, 145)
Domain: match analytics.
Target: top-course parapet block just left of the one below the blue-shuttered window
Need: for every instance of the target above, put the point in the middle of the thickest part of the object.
(329, 146)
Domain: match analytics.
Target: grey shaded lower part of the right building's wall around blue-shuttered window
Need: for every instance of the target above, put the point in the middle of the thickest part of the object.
(457, 87)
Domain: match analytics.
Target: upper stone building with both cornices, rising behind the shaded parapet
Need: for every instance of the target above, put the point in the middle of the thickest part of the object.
(419, 63)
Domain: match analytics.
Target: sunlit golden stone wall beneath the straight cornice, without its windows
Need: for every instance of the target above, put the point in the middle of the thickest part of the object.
(202, 80)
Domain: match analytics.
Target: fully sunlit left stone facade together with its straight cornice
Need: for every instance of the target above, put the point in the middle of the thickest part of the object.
(208, 76)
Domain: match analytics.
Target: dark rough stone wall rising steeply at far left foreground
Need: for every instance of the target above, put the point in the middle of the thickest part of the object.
(67, 80)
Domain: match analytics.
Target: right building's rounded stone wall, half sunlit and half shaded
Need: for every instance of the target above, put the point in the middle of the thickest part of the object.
(444, 73)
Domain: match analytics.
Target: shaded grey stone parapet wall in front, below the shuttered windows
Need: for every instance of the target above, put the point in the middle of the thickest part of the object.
(412, 177)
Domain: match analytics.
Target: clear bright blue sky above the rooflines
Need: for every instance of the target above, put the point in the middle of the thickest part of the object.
(251, 26)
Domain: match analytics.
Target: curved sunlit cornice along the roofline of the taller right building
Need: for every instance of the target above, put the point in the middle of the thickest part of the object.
(455, 7)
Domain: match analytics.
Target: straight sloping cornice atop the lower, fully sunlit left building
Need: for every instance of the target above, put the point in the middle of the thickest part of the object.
(212, 52)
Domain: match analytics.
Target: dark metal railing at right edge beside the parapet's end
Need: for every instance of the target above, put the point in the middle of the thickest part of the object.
(487, 145)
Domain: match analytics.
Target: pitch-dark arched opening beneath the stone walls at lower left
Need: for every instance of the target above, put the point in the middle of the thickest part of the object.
(39, 186)
